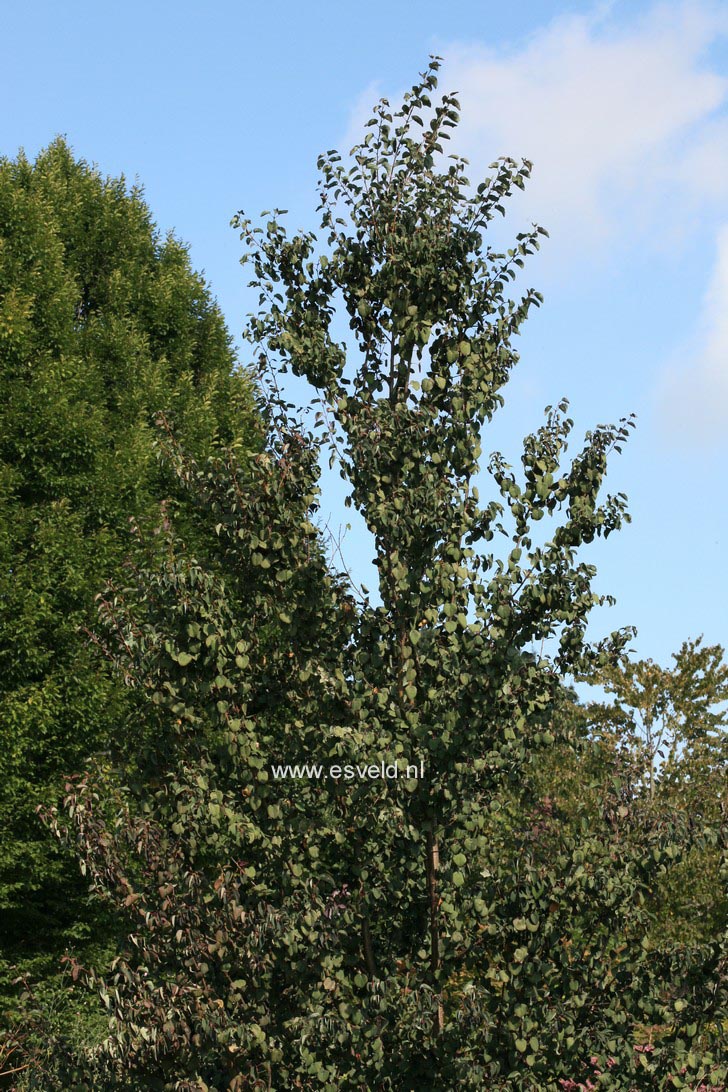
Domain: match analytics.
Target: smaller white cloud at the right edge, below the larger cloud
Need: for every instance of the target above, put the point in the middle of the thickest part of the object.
(694, 396)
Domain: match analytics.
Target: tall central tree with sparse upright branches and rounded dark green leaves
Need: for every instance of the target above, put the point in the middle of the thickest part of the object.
(388, 933)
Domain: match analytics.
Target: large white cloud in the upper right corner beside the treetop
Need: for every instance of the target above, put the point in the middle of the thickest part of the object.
(620, 121)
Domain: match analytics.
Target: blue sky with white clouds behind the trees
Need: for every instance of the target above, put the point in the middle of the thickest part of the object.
(623, 108)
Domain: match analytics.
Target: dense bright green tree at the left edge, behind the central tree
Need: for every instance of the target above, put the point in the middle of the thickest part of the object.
(103, 325)
